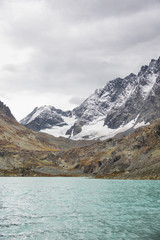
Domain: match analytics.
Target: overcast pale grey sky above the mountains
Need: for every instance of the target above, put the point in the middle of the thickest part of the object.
(57, 52)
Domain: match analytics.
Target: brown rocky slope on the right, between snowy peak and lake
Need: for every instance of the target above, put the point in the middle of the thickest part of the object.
(134, 156)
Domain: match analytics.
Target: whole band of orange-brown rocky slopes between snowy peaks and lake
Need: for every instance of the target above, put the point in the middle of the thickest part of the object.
(26, 153)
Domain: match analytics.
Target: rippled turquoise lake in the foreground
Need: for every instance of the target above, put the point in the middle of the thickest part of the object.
(79, 208)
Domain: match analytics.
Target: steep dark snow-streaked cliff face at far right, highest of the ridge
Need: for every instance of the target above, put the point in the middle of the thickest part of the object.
(143, 98)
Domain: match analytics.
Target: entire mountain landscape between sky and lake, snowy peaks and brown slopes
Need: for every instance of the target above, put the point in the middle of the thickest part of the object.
(118, 109)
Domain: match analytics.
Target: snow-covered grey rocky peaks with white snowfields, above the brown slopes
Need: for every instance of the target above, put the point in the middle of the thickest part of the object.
(121, 105)
